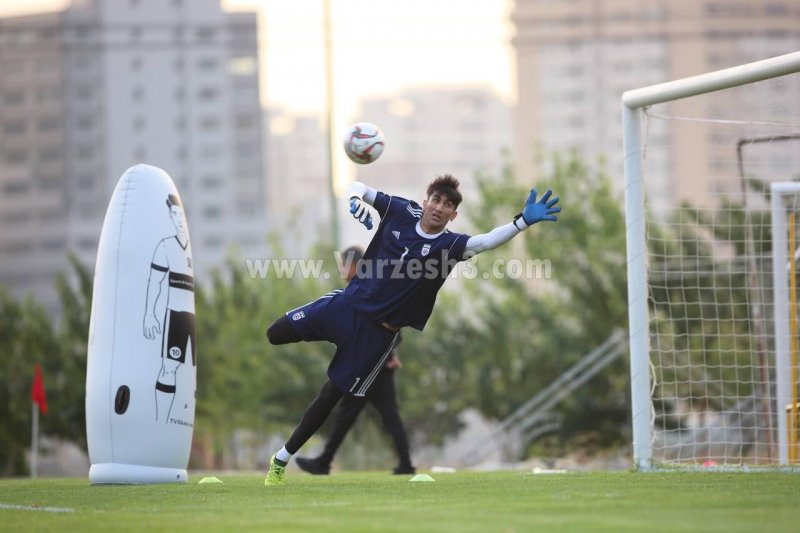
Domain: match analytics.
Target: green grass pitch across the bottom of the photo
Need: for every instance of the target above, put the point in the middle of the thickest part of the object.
(460, 502)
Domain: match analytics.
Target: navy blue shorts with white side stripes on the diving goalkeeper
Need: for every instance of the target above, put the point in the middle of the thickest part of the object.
(362, 347)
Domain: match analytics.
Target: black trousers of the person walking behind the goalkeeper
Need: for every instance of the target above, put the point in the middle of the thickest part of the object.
(383, 396)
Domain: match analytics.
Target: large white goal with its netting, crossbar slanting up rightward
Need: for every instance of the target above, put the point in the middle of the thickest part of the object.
(710, 330)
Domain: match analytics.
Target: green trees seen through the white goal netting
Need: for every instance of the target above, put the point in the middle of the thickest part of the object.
(709, 333)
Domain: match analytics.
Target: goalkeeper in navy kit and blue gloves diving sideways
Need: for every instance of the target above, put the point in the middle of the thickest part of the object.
(403, 269)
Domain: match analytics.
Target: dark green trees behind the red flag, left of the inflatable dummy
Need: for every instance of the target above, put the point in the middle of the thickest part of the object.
(28, 334)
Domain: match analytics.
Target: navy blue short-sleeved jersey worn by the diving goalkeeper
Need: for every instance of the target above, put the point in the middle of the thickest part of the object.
(403, 269)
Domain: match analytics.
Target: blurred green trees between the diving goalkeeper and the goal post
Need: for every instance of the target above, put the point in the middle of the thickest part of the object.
(519, 335)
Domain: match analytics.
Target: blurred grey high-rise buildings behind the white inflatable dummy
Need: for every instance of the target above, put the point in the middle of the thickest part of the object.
(105, 85)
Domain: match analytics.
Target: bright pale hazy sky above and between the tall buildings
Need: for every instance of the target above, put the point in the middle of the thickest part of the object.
(380, 46)
